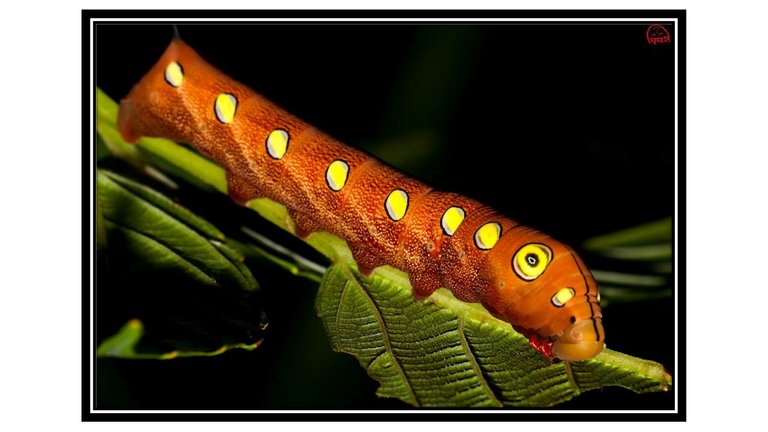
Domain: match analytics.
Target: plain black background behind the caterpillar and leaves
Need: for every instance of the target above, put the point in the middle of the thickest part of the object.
(568, 128)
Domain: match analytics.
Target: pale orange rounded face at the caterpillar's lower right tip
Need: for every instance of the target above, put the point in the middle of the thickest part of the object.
(582, 340)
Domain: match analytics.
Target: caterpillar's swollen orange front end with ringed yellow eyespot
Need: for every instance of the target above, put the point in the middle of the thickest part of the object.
(543, 286)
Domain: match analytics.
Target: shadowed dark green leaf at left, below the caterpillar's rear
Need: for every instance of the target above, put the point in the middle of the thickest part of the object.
(190, 292)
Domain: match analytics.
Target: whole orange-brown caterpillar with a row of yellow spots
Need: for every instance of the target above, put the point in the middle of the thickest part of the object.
(440, 239)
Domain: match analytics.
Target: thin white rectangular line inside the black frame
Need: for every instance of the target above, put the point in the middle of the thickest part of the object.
(511, 411)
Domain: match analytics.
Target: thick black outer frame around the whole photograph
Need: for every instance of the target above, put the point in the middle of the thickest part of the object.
(88, 269)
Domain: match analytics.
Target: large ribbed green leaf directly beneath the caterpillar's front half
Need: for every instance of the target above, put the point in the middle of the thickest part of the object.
(446, 353)
